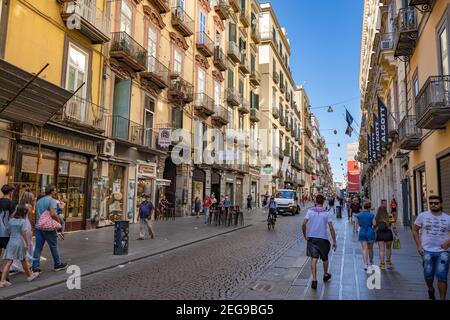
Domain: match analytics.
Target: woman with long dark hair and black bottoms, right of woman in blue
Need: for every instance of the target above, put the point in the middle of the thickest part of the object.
(384, 238)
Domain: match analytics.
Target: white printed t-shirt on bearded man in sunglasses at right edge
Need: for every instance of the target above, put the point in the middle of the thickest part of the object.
(434, 230)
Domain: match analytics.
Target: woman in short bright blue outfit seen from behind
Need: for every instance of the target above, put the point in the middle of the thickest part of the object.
(366, 221)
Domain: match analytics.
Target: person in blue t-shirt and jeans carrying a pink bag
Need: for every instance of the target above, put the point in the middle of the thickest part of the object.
(48, 224)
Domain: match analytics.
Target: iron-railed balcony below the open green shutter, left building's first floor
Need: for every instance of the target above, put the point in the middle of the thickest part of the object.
(127, 131)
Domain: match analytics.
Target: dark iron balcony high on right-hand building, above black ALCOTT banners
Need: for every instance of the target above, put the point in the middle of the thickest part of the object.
(406, 32)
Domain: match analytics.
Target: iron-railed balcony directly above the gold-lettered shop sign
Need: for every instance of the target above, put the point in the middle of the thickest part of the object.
(82, 114)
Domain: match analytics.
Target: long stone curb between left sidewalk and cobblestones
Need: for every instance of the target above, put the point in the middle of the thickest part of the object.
(55, 283)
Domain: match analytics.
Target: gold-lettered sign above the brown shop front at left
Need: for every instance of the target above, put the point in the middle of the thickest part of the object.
(60, 139)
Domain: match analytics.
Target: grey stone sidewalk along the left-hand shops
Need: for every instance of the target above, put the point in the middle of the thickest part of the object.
(92, 250)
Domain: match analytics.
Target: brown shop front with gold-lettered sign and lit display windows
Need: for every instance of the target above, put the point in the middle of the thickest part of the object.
(65, 160)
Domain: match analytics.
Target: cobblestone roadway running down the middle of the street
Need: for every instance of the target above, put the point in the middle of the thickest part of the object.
(218, 268)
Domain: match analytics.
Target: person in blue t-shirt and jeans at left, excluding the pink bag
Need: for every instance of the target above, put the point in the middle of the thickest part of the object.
(47, 203)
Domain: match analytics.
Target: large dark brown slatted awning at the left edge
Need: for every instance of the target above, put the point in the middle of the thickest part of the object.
(24, 97)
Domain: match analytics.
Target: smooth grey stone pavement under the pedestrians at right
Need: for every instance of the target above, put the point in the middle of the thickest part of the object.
(290, 277)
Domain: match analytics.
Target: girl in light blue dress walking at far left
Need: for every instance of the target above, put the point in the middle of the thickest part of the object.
(17, 245)
